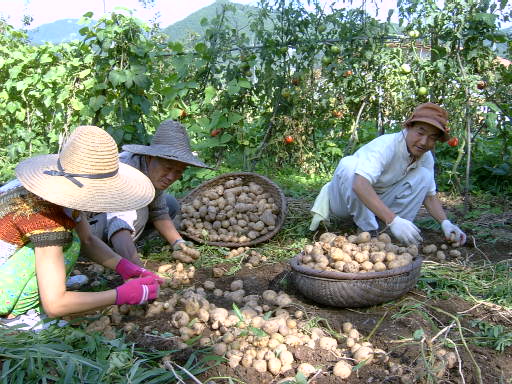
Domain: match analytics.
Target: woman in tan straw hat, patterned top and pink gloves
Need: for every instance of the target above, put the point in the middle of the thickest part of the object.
(40, 212)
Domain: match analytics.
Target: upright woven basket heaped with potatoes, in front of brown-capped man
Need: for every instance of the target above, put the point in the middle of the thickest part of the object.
(355, 271)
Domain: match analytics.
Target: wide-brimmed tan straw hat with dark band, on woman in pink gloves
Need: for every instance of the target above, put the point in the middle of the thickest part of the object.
(86, 175)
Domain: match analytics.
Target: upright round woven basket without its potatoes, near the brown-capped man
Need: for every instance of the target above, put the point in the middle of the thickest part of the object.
(341, 289)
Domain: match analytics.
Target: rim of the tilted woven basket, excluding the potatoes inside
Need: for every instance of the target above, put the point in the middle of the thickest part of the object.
(267, 185)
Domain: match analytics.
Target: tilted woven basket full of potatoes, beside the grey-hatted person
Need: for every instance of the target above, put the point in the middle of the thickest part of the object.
(233, 210)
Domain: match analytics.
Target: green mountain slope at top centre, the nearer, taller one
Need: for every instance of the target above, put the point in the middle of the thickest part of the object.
(191, 25)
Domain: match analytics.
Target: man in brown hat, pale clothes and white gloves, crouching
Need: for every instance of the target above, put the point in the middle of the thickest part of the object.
(389, 179)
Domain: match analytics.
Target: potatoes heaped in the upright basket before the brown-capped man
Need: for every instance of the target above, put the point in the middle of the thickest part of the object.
(356, 254)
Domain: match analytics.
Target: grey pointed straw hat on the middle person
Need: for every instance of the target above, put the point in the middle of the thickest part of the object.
(169, 142)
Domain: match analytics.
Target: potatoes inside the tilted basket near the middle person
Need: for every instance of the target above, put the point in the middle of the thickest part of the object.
(230, 212)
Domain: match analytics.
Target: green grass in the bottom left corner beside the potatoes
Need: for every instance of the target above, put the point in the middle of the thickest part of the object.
(70, 355)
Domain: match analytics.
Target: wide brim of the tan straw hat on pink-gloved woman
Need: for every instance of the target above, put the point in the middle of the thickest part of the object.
(129, 189)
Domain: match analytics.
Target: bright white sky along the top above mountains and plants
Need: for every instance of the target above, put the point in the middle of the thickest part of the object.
(170, 11)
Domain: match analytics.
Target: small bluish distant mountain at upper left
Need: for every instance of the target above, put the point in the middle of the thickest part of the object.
(57, 32)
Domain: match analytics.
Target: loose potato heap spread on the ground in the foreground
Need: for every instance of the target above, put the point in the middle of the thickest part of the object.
(250, 335)
